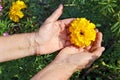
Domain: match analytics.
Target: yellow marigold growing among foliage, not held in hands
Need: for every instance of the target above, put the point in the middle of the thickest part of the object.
(15, 11)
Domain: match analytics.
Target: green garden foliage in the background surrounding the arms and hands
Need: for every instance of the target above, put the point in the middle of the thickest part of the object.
(104, 13)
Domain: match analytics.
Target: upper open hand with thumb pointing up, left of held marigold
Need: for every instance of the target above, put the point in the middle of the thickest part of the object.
(52, 34)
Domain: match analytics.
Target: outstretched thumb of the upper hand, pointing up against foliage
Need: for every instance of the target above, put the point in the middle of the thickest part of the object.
(56, 14)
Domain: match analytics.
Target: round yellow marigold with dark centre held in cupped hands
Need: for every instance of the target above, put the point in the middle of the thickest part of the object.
(82, 32)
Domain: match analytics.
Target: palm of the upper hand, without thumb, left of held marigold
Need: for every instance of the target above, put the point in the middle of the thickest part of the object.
(52, 36)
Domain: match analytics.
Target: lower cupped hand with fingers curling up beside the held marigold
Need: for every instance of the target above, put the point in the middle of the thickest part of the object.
(81, 57)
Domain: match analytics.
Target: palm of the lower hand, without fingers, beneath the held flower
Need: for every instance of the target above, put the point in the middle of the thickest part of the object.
(78, 57)
